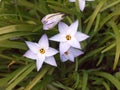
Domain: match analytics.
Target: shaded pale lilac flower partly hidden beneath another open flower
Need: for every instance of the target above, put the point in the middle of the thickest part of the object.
(70, 54)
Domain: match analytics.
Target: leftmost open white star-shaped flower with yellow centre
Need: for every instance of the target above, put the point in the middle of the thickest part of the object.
(41, 52)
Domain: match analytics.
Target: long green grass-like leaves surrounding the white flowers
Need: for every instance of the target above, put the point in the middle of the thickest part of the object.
(97, 69)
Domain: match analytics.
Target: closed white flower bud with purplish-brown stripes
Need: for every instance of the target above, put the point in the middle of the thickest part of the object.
(50, 20)
